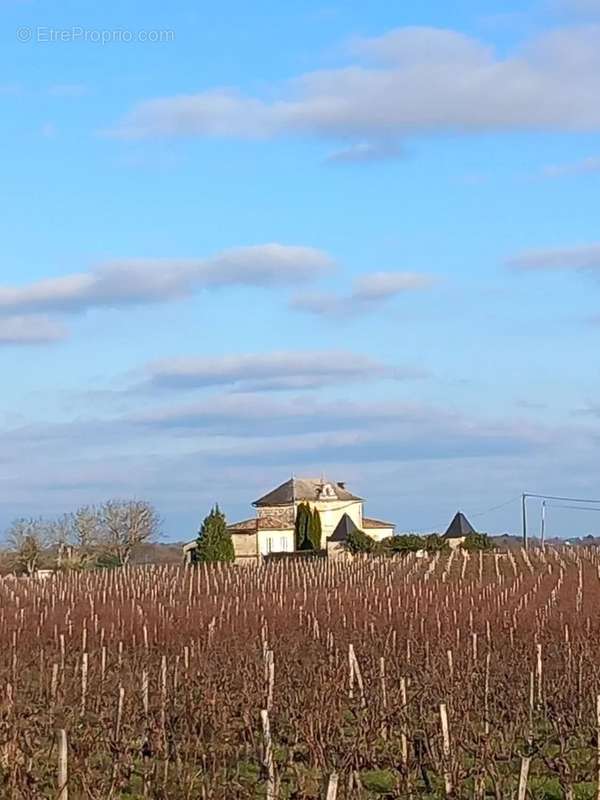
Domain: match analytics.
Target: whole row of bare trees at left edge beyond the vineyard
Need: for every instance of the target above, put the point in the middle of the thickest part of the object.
(104, 535)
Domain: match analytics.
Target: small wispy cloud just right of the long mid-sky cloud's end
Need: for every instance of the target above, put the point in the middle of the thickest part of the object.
(368, 293)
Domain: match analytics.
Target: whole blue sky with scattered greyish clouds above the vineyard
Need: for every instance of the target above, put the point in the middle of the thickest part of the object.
(351, 240)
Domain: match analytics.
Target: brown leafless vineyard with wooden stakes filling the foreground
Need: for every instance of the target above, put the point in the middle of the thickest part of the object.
(466, 676)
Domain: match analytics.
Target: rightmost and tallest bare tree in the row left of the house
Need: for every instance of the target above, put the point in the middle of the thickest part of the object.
(126, 524)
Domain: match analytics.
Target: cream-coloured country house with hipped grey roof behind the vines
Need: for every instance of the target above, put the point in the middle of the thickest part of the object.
(271, 530)
